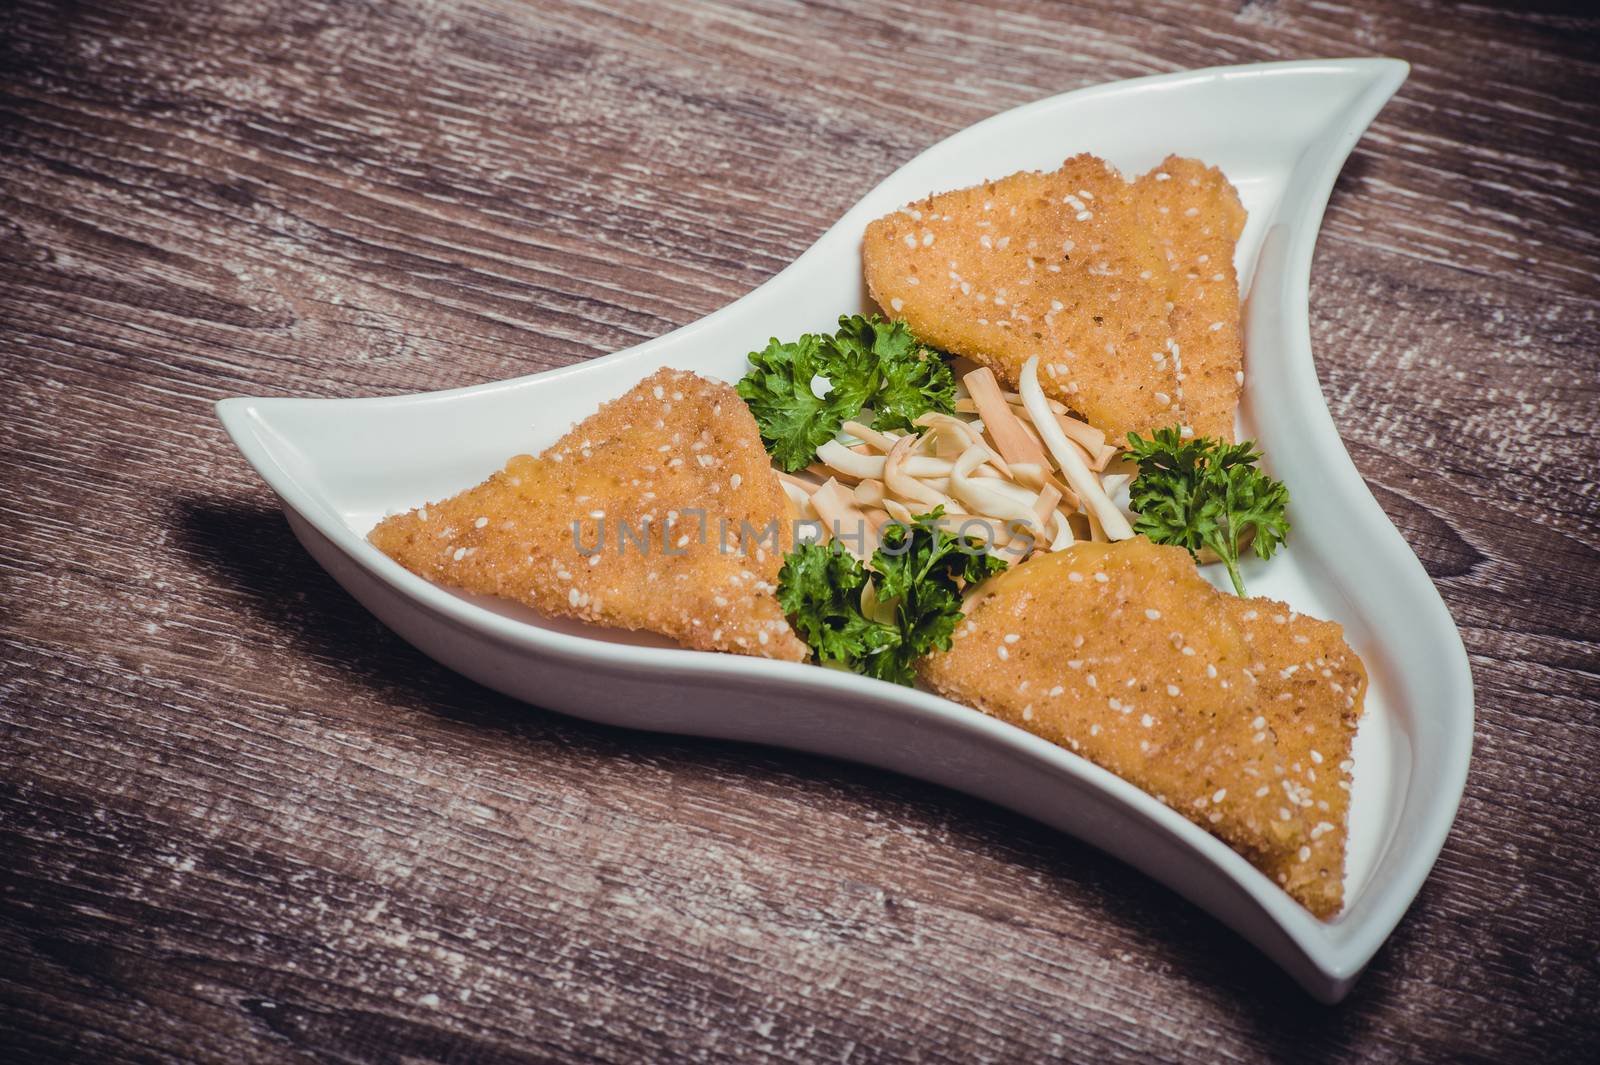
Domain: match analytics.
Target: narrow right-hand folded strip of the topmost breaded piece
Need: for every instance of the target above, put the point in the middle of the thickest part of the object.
(1198, 218)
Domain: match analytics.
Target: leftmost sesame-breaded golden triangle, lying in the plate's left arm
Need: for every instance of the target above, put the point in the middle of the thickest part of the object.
(658, 513)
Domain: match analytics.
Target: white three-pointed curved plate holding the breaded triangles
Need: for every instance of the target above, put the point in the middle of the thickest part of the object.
(1281, 132)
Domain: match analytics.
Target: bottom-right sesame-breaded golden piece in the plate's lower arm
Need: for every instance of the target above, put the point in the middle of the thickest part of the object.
(1238, 714)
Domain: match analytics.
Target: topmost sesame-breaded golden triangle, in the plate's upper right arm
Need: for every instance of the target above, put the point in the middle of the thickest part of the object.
(1068, 266)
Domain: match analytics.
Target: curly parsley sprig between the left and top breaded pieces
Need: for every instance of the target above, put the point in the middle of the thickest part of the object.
(868, 364)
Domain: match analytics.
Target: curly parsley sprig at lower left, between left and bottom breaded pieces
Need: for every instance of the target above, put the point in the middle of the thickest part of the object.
(916, 583)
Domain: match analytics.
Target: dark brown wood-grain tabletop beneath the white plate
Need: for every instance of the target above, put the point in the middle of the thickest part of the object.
(242, 823)
